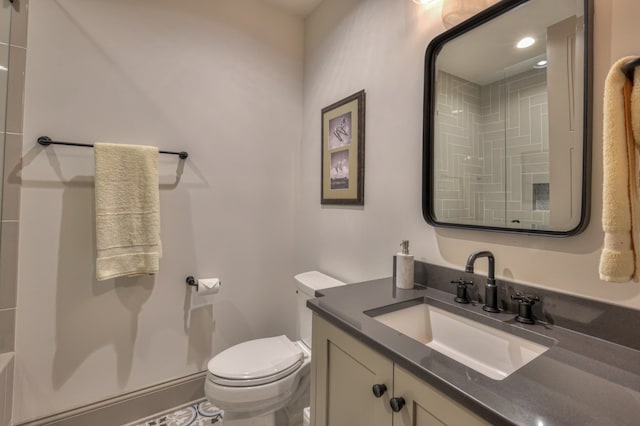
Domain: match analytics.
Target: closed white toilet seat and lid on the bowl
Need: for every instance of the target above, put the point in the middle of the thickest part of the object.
(238, 366)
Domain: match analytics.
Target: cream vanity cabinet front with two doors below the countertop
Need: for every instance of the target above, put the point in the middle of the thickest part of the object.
(343, 374)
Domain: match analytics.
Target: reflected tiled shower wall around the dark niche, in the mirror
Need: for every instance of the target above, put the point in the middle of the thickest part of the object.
(514, 117)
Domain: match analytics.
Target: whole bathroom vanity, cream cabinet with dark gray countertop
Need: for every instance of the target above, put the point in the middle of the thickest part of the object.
(368, 370)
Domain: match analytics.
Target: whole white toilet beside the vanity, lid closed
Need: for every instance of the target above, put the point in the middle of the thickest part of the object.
(251, 381)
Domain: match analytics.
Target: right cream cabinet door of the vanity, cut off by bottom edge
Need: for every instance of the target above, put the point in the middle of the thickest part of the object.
(425, 406)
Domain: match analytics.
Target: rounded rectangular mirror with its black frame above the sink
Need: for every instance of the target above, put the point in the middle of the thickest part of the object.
(507, 120)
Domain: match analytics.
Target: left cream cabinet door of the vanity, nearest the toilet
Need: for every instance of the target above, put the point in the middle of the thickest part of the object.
(344, 372)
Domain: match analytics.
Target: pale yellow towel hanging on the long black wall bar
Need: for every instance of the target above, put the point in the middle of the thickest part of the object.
(127, 210)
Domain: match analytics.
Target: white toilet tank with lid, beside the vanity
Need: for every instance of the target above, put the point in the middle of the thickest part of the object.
(307, 283)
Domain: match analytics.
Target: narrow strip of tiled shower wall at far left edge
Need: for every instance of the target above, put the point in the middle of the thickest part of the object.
(12, 53)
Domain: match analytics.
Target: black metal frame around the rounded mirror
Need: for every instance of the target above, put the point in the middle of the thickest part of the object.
(429, 108)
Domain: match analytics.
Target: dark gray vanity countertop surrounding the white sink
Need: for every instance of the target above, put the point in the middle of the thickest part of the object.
(580, 380)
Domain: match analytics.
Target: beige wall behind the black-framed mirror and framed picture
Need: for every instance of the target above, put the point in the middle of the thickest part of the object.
(379, 46)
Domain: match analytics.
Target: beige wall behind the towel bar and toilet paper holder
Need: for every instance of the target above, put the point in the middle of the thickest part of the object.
(220, 79)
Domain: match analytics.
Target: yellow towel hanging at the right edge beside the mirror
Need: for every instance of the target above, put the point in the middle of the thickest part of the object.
(618, 261)
